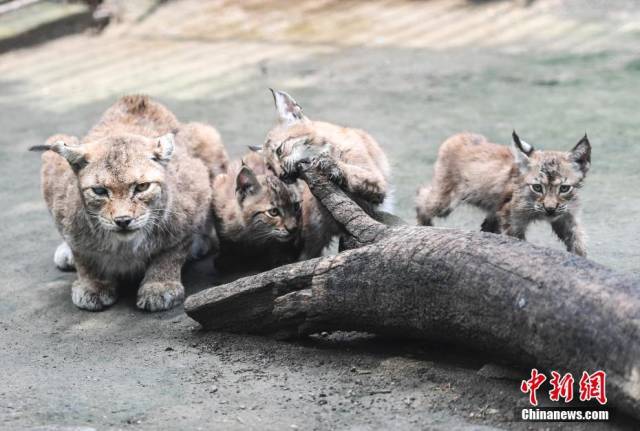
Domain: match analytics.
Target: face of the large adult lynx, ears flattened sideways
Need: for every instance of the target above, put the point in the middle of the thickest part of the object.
(121, 179)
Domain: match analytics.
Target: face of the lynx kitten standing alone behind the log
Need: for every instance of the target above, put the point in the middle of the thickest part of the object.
(551, 179)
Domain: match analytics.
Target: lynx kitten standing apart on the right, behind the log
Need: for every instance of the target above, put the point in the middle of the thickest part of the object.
(513, 187)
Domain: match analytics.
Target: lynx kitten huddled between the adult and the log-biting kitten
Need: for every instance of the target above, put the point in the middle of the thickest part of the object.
(257, 217)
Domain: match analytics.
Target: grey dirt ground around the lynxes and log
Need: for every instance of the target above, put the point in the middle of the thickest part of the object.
(63, 368)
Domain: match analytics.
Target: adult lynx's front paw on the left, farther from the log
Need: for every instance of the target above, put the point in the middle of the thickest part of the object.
(91, 293)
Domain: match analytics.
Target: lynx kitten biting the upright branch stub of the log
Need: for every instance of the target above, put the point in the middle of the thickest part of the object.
(360, 167)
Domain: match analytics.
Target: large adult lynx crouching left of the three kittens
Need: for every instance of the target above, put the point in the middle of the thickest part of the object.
(129, 200)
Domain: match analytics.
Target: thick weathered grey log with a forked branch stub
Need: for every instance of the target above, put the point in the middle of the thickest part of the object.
(531, 304)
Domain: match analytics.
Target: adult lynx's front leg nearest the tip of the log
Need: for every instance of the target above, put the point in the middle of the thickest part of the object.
(161, 288)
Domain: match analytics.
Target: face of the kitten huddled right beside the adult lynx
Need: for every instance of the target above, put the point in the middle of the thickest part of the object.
(271, 209)
